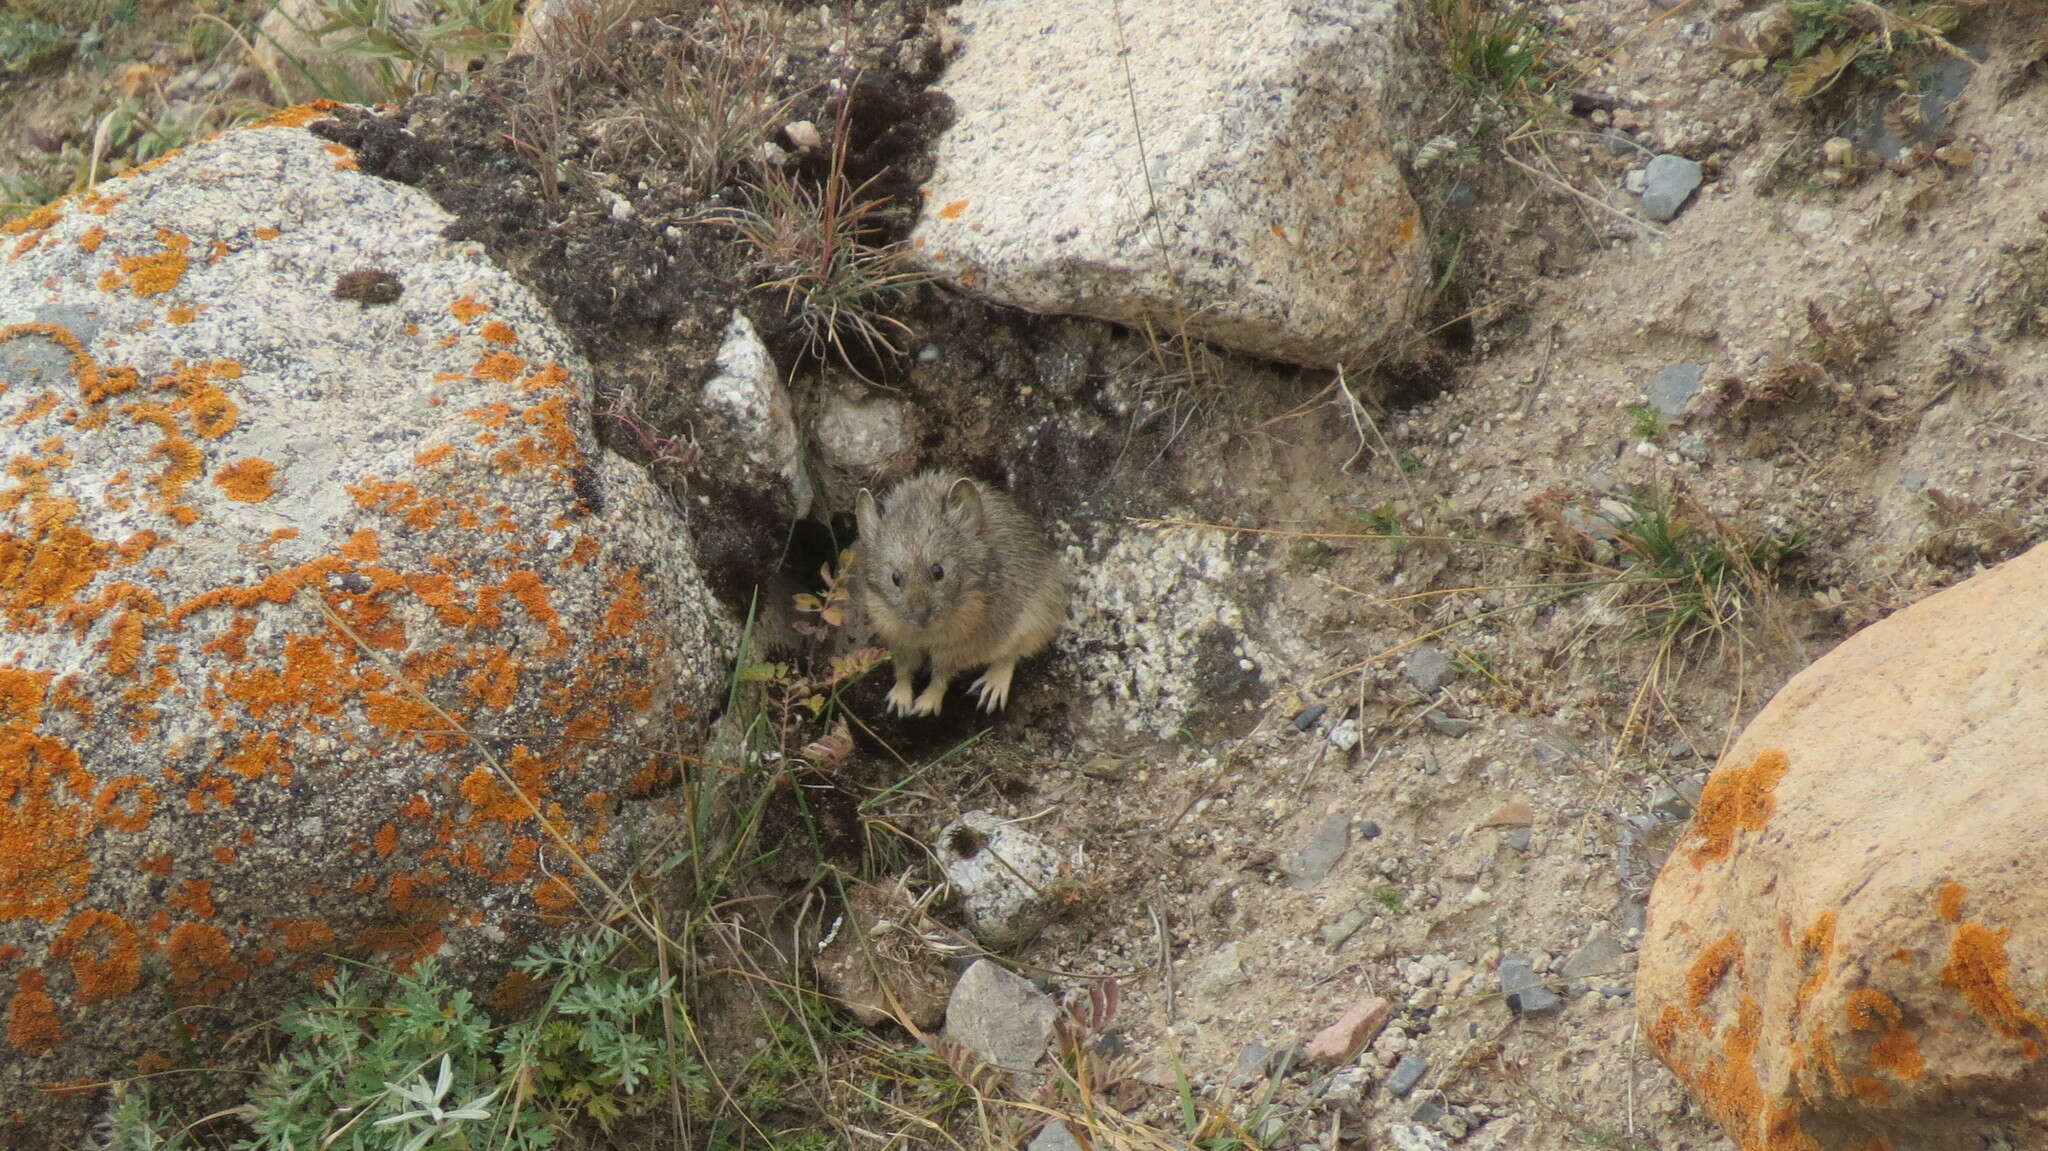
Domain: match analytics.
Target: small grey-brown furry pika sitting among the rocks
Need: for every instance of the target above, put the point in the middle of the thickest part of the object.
(953, 572)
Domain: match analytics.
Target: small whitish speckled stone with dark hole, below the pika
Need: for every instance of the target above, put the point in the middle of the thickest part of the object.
(1005, 876)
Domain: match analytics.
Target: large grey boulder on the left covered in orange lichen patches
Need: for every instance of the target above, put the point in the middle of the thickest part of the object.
(331, 632)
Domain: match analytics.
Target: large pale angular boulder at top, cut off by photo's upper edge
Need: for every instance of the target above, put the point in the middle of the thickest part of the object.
(1285, 222)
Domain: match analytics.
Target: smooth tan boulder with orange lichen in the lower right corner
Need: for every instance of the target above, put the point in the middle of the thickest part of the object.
(1850, 945)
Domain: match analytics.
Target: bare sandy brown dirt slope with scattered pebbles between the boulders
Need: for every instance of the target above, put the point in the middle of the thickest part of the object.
(1871, 370)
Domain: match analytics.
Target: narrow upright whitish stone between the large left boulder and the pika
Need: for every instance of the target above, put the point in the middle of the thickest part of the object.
(751, 423)
